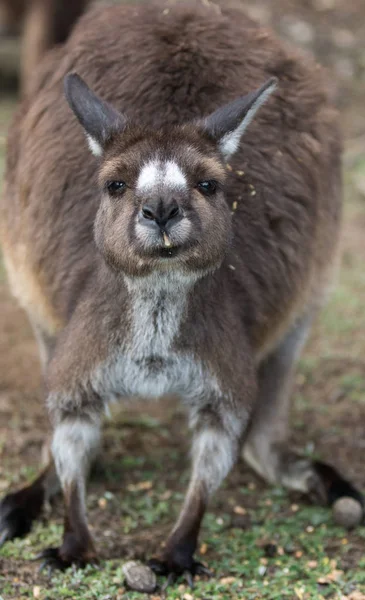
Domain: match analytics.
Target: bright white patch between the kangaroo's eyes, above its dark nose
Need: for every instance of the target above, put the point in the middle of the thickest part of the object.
(157, 173)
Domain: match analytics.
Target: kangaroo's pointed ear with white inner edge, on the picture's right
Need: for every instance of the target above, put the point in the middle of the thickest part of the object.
(227, 124)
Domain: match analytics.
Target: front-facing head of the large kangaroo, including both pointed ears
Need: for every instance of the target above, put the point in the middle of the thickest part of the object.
(162, 192)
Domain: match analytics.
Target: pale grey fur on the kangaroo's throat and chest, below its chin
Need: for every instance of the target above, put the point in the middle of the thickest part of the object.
(148, 365)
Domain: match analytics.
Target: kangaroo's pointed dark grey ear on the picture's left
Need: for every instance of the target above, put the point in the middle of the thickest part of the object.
(98, 118)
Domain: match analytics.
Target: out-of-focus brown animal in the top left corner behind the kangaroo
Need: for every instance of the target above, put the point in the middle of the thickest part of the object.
(43, 24)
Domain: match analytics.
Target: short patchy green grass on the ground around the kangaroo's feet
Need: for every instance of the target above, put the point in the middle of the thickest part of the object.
(302, 565)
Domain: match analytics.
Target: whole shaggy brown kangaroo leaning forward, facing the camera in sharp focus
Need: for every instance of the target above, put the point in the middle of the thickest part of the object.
(172, 228)
